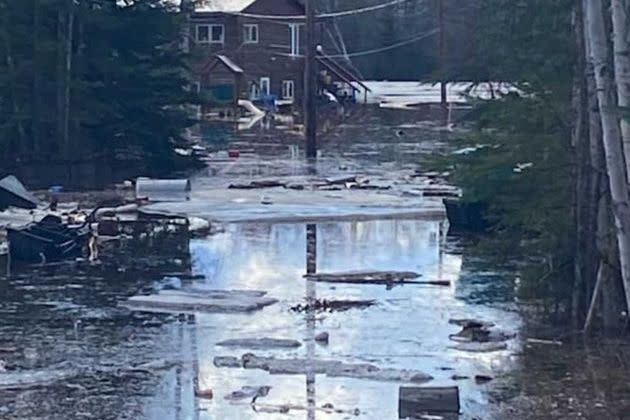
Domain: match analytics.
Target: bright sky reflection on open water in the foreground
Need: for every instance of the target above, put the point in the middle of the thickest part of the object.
(408, 328)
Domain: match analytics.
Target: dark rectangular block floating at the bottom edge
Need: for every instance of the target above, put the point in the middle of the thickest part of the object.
(414, 402)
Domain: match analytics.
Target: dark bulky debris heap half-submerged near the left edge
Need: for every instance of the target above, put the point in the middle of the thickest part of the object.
(47, 241)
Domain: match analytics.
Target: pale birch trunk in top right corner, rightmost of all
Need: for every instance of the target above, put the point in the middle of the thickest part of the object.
(621, 44)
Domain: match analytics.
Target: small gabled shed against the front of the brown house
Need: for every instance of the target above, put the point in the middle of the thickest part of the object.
(221, 81)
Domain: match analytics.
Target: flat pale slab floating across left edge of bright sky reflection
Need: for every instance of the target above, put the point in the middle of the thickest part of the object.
(197, 300)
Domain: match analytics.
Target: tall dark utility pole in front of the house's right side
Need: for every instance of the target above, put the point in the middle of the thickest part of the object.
(310, 83)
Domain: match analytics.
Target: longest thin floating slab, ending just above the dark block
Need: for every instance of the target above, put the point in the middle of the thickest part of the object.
(331, 368)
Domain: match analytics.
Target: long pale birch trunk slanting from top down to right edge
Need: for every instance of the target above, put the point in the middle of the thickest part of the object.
(613, 149)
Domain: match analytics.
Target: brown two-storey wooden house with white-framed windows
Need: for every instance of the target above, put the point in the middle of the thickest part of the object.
(247, 50)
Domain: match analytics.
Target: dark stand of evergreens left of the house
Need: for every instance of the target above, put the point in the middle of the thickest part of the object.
(91, 77)
